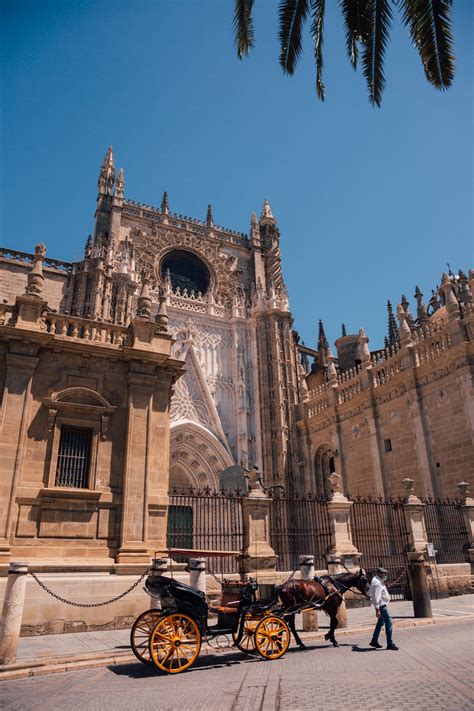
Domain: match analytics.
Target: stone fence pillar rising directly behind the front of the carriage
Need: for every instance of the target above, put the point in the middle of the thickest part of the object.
(258, 553)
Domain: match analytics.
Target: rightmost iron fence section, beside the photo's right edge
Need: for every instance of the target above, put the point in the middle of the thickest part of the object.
(445, 528)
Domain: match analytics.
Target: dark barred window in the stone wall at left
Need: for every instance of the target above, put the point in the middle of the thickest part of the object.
(75, 445)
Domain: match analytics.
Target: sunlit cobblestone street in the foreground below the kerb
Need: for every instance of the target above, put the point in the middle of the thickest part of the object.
(432, 670)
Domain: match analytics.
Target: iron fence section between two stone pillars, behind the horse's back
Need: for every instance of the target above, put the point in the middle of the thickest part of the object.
(299, 524)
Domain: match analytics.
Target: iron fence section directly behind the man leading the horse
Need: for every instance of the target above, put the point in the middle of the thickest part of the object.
(379, 532)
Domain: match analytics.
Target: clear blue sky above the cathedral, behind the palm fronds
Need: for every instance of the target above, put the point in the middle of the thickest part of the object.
(369, 202)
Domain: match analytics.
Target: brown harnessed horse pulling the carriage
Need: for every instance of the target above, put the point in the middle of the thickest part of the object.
(326, 596)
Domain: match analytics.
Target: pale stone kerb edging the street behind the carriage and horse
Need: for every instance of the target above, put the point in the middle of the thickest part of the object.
(54, 665)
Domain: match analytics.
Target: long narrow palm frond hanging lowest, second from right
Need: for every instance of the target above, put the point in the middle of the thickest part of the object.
(374, 51)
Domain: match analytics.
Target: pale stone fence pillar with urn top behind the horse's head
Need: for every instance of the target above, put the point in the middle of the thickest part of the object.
(342, 549)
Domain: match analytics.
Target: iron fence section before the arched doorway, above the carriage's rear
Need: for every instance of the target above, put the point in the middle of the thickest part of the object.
(207, 520)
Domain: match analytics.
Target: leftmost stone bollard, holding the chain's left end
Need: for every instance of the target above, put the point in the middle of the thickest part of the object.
(12, 612)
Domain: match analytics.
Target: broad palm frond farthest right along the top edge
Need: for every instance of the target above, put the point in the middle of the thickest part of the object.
(430, 28)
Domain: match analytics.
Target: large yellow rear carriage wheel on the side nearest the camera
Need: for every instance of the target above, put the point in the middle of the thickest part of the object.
(175, 643)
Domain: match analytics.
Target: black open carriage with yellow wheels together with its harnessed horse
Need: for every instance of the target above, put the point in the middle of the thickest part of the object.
(171, 636)
